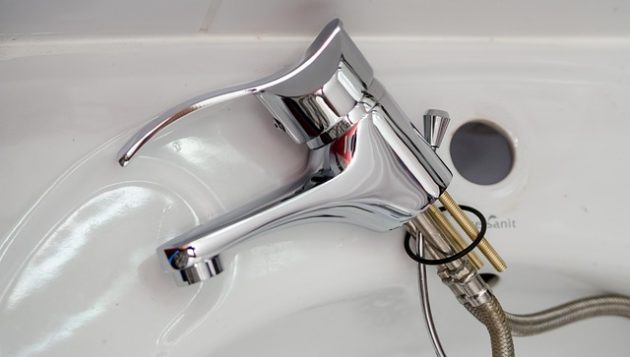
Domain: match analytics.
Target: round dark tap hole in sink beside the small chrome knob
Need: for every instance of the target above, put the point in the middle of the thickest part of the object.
(482, 153)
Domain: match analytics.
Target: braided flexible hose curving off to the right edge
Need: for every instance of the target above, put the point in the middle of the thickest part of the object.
(539, 322)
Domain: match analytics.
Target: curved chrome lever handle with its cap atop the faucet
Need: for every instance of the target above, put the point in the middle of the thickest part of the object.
(316, 101)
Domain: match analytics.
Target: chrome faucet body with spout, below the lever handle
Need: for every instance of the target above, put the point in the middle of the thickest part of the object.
(378, 175)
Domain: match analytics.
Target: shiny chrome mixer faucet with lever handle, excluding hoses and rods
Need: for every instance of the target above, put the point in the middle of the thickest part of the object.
(368, 164)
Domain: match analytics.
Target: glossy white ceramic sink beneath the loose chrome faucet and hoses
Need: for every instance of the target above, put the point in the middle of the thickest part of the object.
(78, 269)
